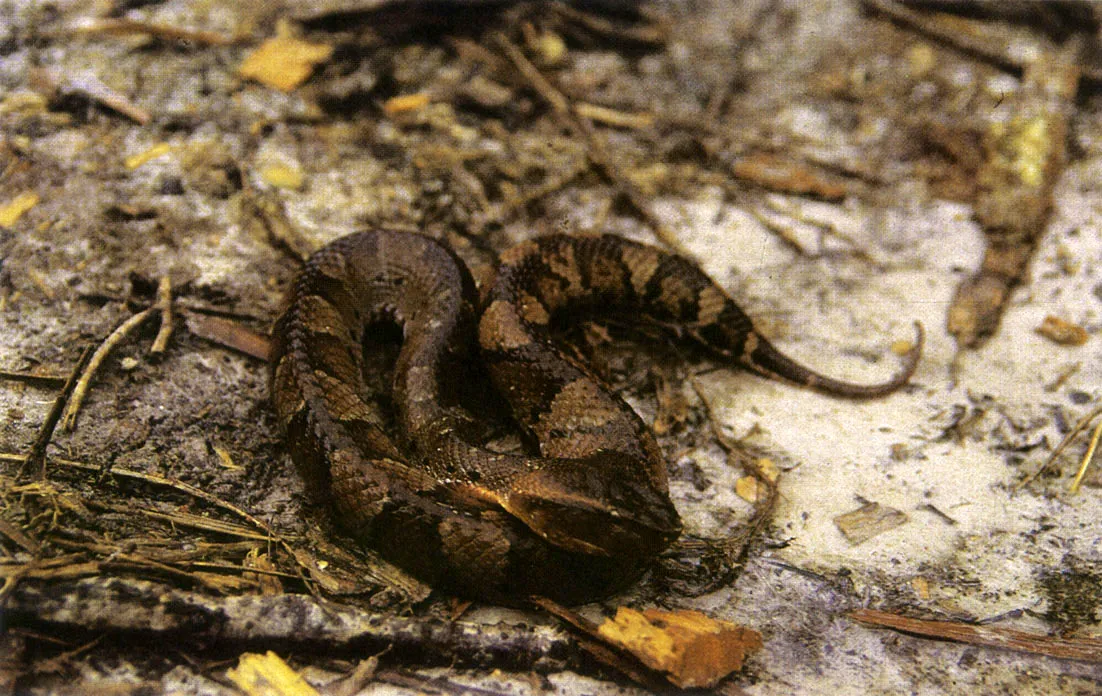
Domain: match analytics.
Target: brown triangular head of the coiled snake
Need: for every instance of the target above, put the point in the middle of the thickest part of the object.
(603, 505)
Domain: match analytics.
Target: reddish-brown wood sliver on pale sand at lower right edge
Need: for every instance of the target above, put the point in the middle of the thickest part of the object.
(1086, 649)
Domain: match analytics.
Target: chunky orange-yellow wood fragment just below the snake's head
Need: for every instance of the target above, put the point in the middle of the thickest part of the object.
(689, 648)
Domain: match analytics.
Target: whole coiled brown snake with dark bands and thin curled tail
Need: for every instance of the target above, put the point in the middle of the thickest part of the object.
(579, 520)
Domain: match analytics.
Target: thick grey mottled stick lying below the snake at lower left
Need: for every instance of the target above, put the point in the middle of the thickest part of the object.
(152, 611)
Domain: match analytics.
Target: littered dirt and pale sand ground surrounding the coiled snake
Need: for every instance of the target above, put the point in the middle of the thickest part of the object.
(819, 161)
